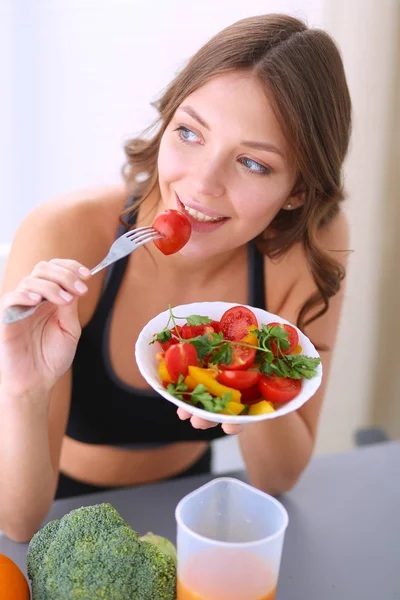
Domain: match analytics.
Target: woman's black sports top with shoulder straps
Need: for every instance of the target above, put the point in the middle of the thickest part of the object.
(104, 409)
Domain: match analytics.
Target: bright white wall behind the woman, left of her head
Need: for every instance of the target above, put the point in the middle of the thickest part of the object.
(83, 75)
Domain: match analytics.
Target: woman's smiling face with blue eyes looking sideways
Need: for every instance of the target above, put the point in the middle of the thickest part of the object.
(223, 161)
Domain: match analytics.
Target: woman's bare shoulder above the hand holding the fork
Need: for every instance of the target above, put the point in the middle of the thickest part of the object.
(81, 226)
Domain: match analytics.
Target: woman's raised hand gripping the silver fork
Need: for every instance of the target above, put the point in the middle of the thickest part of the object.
(37, 351)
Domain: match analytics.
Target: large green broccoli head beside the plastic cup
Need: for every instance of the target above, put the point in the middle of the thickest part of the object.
(91, 553)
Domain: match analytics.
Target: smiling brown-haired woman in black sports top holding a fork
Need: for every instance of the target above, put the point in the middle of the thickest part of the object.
(250, 144)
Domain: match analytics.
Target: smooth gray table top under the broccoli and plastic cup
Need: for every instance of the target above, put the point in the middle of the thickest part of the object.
(343, 539)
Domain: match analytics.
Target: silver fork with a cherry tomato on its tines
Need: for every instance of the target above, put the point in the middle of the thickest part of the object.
(124, 245)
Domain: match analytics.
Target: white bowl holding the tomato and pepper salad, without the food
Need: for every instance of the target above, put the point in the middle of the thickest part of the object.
(148, 364)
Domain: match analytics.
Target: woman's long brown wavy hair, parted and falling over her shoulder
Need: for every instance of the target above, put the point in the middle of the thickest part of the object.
(304, 78)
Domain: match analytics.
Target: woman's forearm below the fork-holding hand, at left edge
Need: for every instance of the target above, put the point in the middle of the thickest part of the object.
(27, 478)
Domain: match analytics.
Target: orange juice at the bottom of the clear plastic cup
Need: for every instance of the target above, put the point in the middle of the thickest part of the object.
(225, 574)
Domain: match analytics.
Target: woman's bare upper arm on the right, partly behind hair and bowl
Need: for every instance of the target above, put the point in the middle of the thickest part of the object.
(334, 238)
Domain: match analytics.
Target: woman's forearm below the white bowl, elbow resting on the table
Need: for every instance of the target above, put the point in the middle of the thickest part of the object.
(276, 452)
